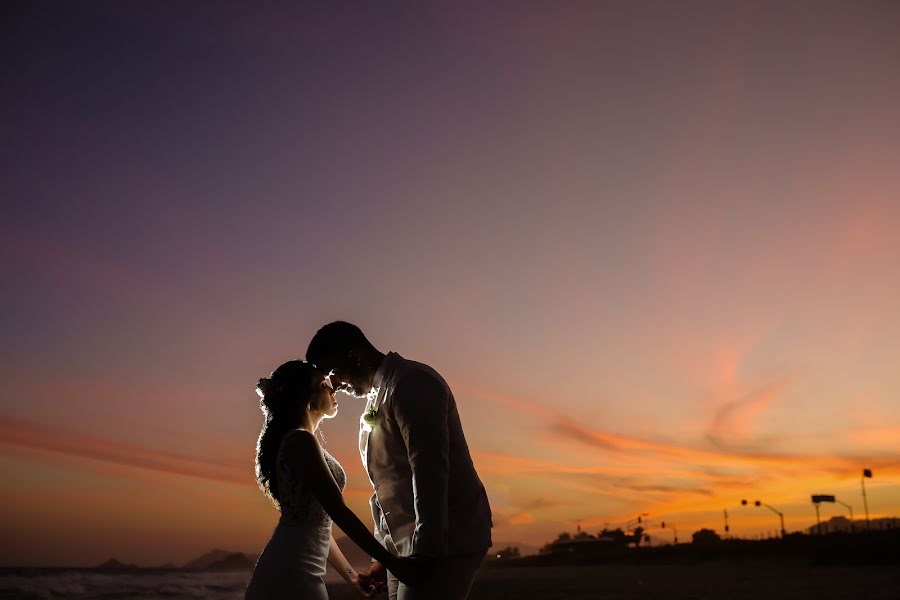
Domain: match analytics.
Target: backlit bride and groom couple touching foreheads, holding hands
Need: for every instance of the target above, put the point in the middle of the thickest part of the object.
(432, 520)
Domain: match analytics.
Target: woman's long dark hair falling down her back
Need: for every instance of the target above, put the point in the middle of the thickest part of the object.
(283, 398)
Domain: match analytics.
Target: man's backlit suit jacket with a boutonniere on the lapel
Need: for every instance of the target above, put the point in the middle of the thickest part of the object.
(428, 498)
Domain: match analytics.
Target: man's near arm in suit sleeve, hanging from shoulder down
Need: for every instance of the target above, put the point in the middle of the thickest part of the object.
(421, 407)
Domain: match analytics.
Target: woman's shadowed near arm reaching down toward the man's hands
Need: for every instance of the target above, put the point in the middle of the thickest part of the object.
(304, 455)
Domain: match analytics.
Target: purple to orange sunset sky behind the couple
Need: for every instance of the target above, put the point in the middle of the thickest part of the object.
(654, 248)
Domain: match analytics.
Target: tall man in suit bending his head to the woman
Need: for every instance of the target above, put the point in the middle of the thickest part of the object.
(428, 500)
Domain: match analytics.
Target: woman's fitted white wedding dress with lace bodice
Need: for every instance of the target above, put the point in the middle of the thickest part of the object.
(293, 563)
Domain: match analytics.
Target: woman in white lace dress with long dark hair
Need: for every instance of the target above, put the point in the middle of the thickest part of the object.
(305, 483)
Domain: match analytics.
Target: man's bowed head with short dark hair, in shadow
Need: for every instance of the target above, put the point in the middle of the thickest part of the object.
(342, 349)
